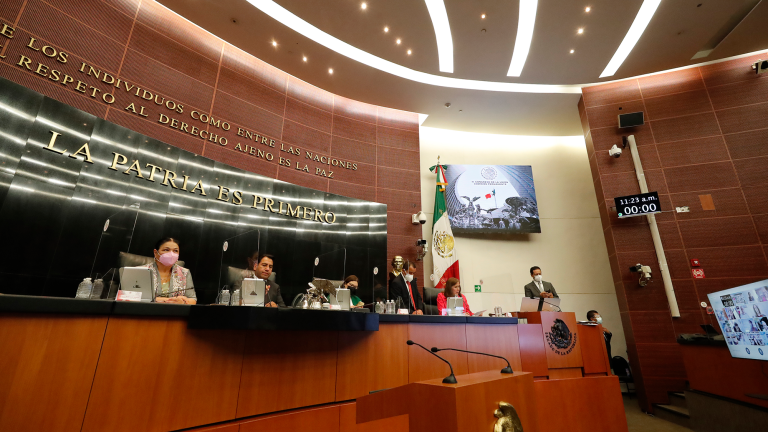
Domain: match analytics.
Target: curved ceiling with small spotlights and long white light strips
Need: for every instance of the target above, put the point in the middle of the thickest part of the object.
(482, 50)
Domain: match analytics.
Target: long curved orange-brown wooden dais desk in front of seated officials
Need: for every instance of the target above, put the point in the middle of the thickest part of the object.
(151, 372)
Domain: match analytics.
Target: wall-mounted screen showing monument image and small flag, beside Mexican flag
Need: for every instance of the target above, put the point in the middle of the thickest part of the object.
(491, 199)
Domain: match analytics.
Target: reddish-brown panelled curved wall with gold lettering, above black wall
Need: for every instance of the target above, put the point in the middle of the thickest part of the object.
(143, 67)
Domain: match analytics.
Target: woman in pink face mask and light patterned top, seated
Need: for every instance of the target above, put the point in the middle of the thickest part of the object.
(171, 282)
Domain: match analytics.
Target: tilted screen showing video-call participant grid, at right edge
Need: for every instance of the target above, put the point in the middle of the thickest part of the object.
(743, 316)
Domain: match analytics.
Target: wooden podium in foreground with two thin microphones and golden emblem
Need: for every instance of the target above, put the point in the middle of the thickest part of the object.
(468, 405)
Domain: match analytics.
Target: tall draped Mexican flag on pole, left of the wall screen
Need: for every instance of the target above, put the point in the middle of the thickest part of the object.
(445, 261)
